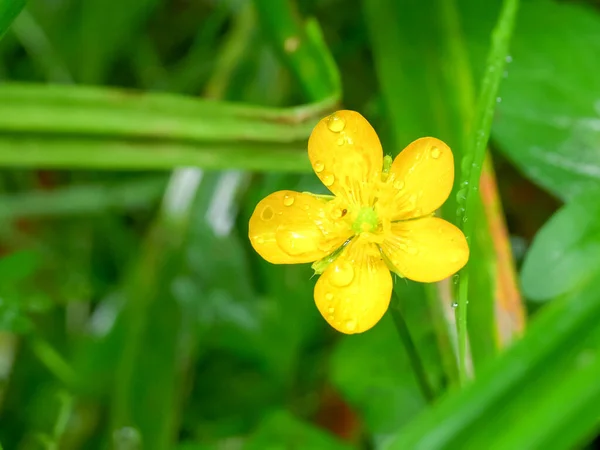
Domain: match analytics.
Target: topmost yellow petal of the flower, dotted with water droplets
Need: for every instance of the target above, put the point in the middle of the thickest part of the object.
(346, 155)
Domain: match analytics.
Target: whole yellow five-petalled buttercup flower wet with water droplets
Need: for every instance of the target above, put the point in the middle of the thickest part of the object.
(379, 219)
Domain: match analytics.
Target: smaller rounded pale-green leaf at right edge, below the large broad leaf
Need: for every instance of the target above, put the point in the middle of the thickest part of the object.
(566, 252)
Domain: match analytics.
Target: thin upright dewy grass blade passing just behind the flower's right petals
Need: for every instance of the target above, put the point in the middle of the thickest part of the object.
(473, 162)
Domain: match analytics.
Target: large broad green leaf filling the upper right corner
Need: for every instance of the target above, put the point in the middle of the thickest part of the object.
(548, 122)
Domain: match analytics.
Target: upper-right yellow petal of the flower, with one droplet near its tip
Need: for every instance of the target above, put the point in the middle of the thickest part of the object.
(420, 180)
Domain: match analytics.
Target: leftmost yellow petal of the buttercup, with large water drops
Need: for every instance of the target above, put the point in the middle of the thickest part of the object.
(290, 227)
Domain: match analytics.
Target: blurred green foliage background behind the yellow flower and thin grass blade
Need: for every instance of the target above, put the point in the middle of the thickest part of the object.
(137, 136)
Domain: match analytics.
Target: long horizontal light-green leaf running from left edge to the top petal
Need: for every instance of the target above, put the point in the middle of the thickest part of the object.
(50, 126)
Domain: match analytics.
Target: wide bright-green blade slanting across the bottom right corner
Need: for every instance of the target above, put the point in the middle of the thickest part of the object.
(542, 393)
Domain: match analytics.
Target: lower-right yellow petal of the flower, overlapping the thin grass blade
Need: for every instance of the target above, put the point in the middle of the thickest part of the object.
(426, 250)
